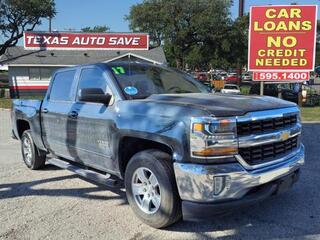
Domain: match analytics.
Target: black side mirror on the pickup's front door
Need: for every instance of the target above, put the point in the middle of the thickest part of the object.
(96, 95)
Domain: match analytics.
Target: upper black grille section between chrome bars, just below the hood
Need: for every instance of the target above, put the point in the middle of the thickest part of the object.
(265, 125)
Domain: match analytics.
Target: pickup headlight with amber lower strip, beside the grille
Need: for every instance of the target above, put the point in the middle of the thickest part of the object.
(212, 137)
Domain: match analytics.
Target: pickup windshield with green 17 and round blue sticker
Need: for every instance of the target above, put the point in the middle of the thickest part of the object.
(139, 81)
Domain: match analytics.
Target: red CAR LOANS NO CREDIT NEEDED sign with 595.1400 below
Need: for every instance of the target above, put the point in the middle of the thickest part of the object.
(282, 42)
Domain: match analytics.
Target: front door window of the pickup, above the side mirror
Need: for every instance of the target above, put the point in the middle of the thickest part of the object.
(92, 78)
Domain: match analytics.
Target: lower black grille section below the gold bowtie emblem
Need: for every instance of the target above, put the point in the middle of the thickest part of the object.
(268, 152)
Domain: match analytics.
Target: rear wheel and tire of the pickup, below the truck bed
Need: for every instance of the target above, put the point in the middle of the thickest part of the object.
(32, 156)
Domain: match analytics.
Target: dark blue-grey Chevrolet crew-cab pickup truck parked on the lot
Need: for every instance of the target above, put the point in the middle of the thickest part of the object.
(179, 150)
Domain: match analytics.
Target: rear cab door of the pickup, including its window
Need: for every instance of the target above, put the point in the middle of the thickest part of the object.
(55, 113)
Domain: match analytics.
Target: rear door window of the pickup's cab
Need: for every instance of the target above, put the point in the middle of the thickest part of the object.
(62, 86)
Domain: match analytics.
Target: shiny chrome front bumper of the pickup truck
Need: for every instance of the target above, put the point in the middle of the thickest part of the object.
(211, 183)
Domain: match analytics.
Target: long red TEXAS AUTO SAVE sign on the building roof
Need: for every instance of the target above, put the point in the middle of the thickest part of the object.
(74, 41)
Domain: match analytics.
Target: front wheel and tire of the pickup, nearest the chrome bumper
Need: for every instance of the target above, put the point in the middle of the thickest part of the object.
(167, 209)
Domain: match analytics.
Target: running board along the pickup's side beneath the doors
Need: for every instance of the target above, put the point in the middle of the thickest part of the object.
(104, 179)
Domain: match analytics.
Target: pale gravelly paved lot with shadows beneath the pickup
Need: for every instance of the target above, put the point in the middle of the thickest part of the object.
(56, 204)
